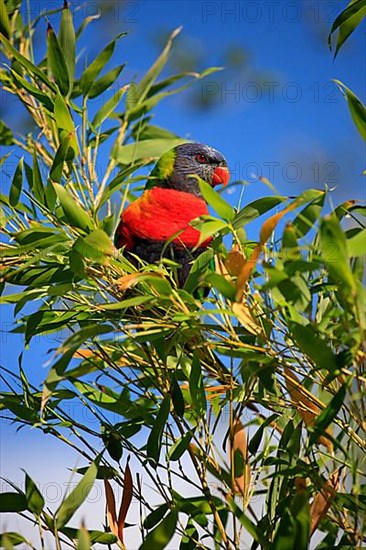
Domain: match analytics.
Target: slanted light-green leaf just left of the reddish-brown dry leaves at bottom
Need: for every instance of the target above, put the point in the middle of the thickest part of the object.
(71, 503)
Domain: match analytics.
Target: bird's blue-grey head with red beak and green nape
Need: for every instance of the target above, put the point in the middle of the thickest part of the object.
(177, 168)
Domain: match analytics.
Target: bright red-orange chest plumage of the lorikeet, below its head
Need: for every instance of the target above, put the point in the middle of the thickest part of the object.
(162, 215)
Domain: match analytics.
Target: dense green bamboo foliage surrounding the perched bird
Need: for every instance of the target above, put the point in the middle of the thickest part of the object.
(273, 354)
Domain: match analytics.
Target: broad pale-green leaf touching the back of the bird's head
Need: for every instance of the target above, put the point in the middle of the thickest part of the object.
(148, 148)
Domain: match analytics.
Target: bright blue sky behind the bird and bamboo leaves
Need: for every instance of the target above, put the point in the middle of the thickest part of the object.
(278, 115)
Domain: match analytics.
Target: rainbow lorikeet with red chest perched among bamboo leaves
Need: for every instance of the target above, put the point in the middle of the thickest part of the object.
(158, 223)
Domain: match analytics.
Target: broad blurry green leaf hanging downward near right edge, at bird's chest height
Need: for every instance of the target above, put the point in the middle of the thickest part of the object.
(333, 249)
